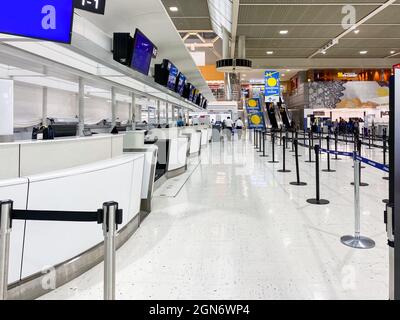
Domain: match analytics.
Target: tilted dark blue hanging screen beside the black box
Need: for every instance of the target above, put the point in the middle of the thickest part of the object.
(143, 51)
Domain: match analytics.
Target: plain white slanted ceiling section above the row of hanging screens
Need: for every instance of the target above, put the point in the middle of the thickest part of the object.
(151, 18)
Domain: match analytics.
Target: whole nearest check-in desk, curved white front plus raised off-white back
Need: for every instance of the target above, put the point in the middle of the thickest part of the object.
(74, 174)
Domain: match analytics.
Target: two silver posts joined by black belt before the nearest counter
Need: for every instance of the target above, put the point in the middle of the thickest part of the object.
(109, 216)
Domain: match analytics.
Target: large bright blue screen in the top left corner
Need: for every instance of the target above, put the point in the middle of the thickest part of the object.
(42, 19)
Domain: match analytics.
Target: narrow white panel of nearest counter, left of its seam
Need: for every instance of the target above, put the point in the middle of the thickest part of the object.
(15, 190)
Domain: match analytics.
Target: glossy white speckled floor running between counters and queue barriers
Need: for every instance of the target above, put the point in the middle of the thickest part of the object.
(238, 230)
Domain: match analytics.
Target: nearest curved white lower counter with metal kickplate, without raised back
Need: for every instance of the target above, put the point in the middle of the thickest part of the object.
(70, 247)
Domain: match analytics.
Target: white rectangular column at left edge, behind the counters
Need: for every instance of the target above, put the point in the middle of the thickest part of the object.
(7, 110)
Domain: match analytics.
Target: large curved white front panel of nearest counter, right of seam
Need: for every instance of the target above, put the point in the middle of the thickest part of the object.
(80, 189)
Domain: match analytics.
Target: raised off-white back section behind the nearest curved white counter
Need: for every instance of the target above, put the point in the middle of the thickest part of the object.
(22, 158)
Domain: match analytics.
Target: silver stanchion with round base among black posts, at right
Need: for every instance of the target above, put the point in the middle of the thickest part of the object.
(357, 241)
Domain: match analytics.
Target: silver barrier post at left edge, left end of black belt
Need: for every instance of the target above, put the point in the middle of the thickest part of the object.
(5, 230)
